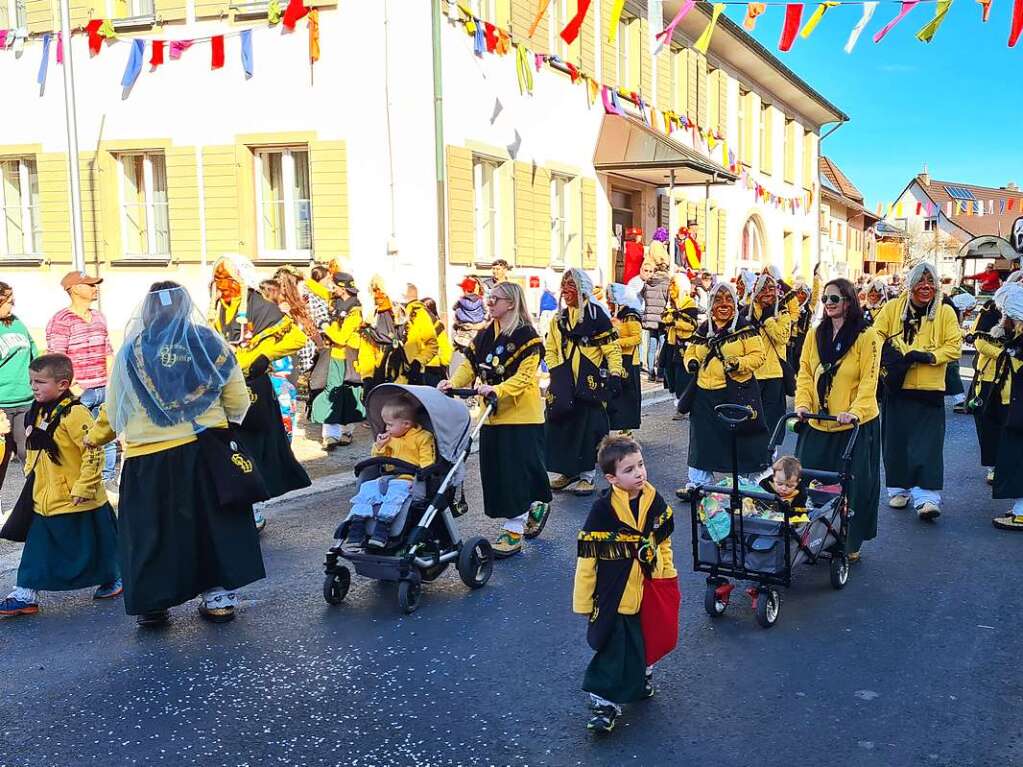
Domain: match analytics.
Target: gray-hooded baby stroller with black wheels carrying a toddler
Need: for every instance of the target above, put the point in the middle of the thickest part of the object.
(424, 537)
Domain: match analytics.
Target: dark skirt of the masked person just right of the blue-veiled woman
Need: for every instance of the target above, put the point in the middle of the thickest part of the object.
(264, 436)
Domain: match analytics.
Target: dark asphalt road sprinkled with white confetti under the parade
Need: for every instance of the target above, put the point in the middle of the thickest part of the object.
(916, 663)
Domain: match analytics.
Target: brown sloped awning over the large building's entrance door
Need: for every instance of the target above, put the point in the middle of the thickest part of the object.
(633, 150)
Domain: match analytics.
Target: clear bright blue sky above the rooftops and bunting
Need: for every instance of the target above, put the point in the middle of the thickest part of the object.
(956, 104)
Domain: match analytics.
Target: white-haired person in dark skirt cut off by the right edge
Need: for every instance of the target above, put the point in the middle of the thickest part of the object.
(1008, 480)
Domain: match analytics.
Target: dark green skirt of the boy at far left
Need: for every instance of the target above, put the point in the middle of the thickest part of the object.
(65, 553)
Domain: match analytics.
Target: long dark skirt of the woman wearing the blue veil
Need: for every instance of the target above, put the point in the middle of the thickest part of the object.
(175, 539)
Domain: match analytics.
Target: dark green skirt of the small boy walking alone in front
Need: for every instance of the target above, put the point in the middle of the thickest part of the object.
(618, 671)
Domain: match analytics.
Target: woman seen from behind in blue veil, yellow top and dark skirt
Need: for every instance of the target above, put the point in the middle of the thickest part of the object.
(186, 519)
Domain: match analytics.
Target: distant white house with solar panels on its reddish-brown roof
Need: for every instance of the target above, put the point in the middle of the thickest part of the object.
(939, 217)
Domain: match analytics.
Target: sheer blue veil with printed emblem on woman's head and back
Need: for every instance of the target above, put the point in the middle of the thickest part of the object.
(172, 367)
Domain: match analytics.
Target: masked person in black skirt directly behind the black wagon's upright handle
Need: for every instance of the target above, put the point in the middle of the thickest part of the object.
(724, 349)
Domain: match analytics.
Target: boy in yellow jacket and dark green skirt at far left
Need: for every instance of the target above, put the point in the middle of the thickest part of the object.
(72, 542)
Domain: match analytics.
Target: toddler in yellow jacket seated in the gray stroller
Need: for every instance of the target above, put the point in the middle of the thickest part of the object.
(405, 440)
